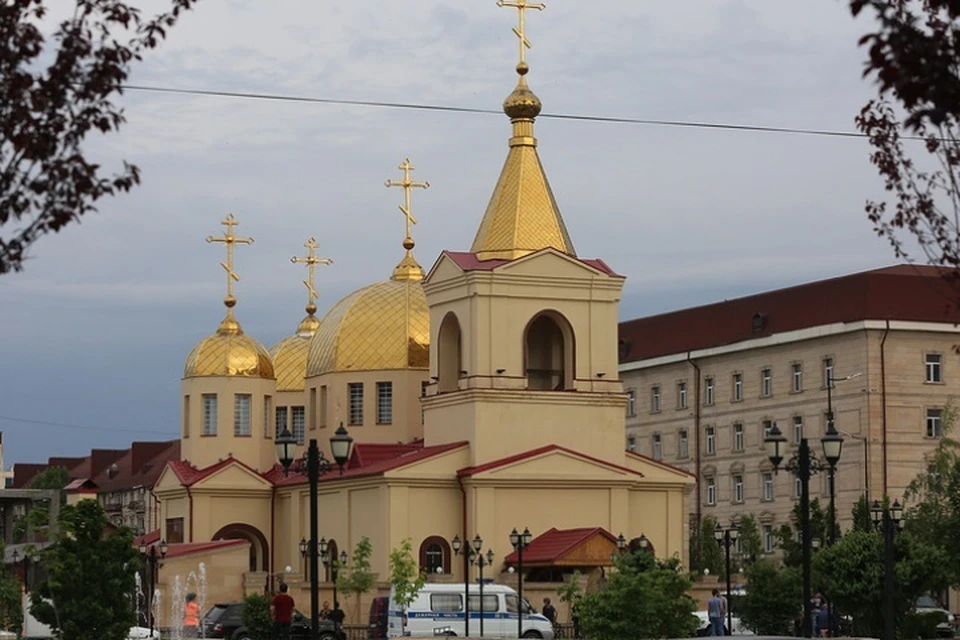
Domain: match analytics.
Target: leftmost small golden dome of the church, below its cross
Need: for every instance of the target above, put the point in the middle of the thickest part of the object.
(229, 352)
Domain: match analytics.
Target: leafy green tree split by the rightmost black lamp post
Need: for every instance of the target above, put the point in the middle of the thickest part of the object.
(851, 571)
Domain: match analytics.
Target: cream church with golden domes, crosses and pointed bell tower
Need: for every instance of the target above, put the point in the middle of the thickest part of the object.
(482, 395)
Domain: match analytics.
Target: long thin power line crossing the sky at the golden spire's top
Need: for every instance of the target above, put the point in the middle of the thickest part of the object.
(555, 116)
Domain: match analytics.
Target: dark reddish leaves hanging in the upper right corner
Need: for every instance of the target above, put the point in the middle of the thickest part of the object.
(913, 55)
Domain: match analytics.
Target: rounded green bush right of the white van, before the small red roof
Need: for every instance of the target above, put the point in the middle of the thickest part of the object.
(643, 598)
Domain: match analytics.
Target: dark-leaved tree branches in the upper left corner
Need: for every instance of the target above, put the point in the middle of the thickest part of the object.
(54, 93)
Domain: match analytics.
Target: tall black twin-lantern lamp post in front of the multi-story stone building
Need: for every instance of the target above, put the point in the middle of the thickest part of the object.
(803, 464)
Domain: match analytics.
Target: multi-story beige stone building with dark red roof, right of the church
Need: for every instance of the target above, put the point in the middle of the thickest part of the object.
(706, 384)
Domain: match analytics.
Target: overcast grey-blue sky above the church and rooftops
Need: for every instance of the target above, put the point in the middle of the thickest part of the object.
(95, 331)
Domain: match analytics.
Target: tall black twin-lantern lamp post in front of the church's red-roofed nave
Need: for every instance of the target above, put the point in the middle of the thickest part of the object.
(315, 465)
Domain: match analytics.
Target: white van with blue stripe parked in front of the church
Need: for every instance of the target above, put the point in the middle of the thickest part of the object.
(438, 611)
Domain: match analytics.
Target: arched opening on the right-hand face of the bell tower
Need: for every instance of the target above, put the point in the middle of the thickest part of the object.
(548, 353)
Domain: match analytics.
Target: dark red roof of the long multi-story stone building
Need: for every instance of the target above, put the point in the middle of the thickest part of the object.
(902, 292)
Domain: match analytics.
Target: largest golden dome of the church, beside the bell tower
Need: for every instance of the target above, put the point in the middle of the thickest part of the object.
(380, 327)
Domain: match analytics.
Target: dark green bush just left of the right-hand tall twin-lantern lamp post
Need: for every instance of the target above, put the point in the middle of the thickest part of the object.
(773, 600)
